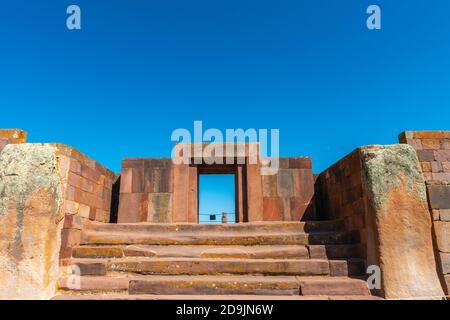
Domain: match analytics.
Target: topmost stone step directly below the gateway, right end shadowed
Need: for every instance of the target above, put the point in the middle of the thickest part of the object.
(258, 227)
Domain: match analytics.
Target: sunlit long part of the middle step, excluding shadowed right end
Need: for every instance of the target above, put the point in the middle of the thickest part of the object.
(244, 252)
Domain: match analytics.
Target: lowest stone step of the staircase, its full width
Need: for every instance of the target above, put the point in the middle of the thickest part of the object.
(334, 288)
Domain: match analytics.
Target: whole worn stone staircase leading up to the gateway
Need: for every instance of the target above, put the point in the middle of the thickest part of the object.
(267, 260)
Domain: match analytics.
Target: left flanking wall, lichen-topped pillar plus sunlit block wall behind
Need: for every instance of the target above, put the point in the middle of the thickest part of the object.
(47, 193)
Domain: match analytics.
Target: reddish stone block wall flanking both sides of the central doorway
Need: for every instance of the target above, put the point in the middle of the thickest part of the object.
(157, 190)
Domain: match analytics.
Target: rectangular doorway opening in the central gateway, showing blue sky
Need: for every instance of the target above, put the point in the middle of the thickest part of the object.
(221, 196)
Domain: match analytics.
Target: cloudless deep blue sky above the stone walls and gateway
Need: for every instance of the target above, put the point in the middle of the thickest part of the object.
(139, 69)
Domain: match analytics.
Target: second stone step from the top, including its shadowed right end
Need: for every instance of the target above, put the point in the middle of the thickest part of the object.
(211, 238)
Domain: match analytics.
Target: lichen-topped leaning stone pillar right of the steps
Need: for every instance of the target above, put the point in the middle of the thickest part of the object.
(400, 223)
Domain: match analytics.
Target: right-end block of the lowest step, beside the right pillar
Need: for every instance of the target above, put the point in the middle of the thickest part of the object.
(333, 286)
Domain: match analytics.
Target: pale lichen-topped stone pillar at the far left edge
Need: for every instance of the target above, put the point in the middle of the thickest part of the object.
(31, 203)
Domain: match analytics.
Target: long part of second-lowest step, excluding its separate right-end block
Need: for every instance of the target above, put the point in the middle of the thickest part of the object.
(201, 266)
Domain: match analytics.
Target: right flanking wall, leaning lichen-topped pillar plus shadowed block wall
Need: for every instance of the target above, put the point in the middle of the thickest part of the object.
(380, 193)
